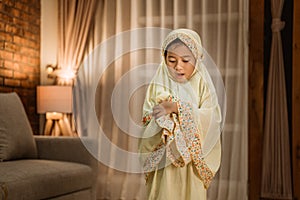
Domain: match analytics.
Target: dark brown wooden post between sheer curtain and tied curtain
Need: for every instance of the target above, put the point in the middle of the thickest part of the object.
(255, 95)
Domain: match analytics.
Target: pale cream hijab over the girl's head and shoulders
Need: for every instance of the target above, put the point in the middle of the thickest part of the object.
(199, 90)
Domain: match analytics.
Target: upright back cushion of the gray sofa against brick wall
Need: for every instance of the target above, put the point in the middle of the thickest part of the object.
(16, 137)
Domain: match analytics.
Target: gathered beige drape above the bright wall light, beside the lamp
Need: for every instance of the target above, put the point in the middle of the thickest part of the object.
(75, 18)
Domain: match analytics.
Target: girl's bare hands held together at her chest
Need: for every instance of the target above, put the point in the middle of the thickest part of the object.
(164, 108)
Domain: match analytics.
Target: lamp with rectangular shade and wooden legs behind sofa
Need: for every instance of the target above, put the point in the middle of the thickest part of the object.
(55, 101)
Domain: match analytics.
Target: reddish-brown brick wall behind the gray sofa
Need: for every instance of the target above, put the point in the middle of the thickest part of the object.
(20, 52)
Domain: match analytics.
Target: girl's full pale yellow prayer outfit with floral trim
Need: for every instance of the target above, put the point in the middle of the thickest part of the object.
(181, 152)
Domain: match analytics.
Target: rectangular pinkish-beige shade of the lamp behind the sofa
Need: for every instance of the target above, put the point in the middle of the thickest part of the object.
(53, 98)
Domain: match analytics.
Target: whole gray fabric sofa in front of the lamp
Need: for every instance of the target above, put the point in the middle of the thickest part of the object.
(40, 167)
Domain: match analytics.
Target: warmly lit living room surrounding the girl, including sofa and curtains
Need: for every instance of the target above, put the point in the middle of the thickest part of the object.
(74, 76)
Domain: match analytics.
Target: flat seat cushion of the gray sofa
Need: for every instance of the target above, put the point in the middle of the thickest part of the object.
(40, 179)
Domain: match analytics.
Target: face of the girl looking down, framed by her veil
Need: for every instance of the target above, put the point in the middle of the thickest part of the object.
(180, 62)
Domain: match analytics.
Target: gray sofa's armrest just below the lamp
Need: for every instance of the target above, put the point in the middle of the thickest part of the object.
(64, 149)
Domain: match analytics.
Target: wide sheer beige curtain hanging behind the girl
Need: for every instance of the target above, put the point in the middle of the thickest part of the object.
(223, 26)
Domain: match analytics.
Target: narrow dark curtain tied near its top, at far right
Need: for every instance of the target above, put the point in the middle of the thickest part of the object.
(276, 179)
